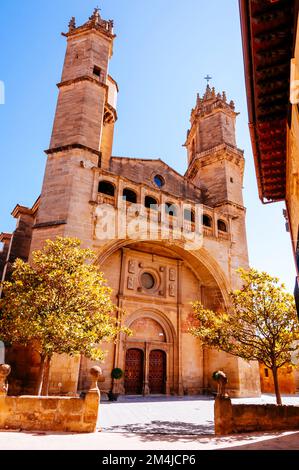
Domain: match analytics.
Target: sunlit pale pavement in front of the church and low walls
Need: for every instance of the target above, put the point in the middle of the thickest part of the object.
(158, 424)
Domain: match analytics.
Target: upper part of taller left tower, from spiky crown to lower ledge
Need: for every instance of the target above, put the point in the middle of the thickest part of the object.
(87, 95)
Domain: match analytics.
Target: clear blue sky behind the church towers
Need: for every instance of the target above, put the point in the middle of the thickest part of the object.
(163, 50)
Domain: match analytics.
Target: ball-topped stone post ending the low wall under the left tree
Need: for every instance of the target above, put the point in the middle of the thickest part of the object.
(92, 400)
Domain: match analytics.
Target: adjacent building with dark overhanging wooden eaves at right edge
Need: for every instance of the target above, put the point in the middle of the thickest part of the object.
(271, 58)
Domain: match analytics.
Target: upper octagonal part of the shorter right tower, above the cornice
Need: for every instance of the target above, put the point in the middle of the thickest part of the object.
(214, 161)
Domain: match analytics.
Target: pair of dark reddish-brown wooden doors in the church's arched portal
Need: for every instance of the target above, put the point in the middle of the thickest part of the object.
(135, 376)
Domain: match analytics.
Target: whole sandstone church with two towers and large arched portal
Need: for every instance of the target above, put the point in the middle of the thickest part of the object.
(155, 274)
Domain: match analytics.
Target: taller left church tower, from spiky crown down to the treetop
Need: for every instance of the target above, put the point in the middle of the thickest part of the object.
(82, 133)
